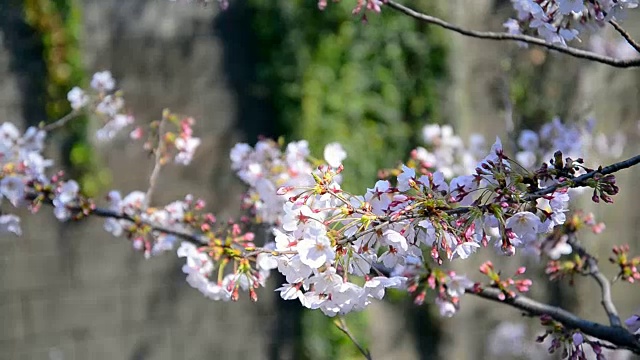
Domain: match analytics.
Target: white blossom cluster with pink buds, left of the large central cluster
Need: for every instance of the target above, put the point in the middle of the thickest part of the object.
(156, 230)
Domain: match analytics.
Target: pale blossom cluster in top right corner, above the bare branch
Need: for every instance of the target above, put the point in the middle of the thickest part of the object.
(559, 21)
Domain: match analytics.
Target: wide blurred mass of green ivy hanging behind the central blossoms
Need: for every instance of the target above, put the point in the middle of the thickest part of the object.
(333, 78)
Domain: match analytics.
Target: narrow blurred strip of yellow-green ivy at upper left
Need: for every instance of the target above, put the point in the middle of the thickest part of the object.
(59, 24)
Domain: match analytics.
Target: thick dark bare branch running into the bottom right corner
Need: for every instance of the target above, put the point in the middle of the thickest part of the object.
(616, 335)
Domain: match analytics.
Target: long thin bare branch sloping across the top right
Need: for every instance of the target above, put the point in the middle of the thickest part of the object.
(578, 53)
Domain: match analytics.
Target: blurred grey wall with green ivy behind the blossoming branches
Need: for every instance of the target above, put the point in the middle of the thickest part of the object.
(275, 68)
